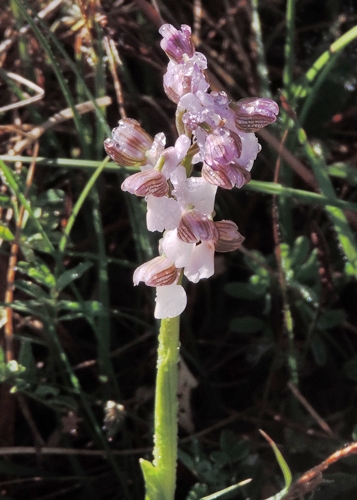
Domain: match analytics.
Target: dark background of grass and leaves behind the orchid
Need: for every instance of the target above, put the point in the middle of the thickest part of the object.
(269, 342)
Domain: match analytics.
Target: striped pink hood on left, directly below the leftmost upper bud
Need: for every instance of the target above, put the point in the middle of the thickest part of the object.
(145, 183)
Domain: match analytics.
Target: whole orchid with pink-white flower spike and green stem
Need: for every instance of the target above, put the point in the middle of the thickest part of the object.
(220, 135)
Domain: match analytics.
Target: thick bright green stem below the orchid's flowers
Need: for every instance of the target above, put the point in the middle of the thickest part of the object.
(166, 406)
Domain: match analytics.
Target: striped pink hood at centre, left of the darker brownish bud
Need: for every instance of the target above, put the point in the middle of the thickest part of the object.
(195, 227)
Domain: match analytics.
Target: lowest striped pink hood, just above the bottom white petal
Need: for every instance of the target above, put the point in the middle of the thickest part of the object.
(156, 272)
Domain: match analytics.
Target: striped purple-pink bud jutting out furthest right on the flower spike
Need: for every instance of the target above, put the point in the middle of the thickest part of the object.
(254, 113)
